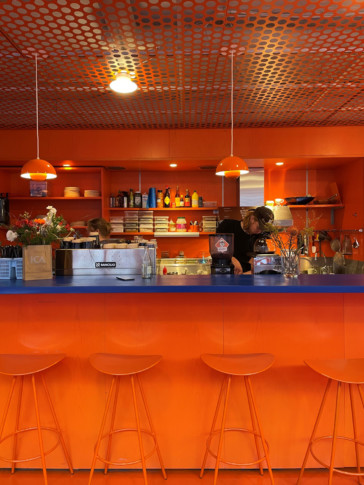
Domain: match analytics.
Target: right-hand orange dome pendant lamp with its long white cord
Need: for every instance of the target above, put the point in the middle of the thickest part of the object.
(232, 166)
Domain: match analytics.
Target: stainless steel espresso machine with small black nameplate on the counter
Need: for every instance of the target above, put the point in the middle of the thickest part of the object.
(82, 262)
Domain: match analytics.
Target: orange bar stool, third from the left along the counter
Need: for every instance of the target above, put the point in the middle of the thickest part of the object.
(243, 365)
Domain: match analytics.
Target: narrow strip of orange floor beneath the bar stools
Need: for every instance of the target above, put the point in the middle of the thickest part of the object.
(175, 477)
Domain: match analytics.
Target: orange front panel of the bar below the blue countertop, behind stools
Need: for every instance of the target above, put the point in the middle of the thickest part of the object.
(182, 391)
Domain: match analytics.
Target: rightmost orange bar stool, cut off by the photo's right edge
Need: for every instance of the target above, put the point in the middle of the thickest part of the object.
(343, 371)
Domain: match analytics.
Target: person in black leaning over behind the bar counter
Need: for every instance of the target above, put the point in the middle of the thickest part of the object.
(246, 233)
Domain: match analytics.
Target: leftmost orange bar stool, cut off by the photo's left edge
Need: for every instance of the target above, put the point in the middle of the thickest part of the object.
(20, 366)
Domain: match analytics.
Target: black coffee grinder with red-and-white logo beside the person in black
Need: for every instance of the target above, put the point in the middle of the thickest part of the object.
(221, 250)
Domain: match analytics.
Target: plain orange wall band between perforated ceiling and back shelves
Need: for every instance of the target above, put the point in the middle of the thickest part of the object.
(116, 145)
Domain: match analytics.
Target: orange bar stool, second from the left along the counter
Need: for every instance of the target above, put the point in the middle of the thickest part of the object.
(118, 366)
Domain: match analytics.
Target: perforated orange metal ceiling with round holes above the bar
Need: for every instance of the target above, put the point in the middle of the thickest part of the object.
(303, 63)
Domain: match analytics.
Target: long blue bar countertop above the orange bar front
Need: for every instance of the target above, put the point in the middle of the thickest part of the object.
(188, 284)
